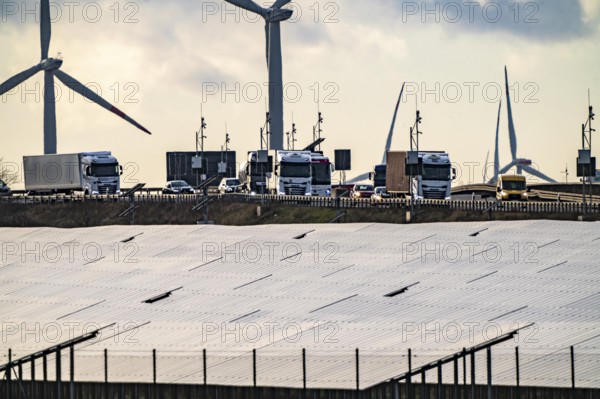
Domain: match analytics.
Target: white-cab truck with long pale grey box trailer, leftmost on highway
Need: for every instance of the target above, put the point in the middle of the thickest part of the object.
(88, 172)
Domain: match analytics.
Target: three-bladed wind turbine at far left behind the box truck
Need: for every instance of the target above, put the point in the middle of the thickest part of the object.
(51, 68)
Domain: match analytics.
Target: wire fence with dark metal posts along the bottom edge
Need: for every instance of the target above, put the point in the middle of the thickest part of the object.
(565, 368)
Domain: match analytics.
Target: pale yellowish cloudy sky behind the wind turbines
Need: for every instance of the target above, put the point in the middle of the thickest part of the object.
(163, 63)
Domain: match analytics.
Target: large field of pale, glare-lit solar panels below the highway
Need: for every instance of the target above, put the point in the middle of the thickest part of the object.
(328, 289)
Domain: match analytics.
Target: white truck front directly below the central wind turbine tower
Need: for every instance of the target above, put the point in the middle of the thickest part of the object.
(293, 174)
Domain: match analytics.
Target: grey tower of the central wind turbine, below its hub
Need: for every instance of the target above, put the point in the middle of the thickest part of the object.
(275, 86)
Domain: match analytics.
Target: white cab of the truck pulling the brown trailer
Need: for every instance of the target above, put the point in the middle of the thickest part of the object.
(436, 180)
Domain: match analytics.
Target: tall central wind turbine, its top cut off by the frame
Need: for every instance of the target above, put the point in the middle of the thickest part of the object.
(272, 16)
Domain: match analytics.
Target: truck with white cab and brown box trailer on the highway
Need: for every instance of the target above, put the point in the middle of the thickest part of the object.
(434, 182)
